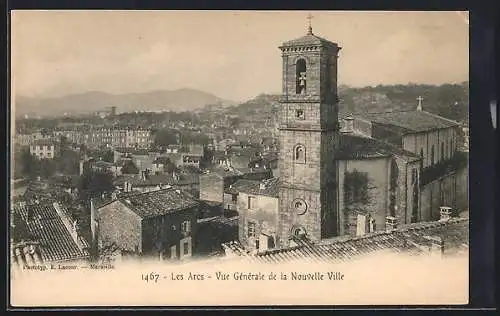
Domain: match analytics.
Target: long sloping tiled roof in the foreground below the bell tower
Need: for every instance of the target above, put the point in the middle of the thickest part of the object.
(414, 238)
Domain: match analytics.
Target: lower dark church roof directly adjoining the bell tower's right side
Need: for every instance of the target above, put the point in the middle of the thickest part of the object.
(356, 146)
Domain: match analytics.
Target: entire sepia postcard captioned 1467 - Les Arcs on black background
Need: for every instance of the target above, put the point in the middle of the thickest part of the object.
(235, 158)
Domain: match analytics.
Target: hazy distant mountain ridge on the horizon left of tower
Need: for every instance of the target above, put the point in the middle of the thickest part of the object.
(158, 100)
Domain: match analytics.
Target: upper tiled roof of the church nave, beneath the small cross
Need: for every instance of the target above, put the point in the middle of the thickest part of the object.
(411, 121)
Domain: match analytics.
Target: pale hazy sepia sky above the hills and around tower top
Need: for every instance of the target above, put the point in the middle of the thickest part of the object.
(232, 54)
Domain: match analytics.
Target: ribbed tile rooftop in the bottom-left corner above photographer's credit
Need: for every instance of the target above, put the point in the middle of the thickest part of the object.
(45, 236)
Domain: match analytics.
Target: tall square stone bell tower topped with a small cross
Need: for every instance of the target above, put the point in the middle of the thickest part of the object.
(309, 136)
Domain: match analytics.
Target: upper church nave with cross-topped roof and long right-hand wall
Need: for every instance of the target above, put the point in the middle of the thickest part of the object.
(443, 167)
